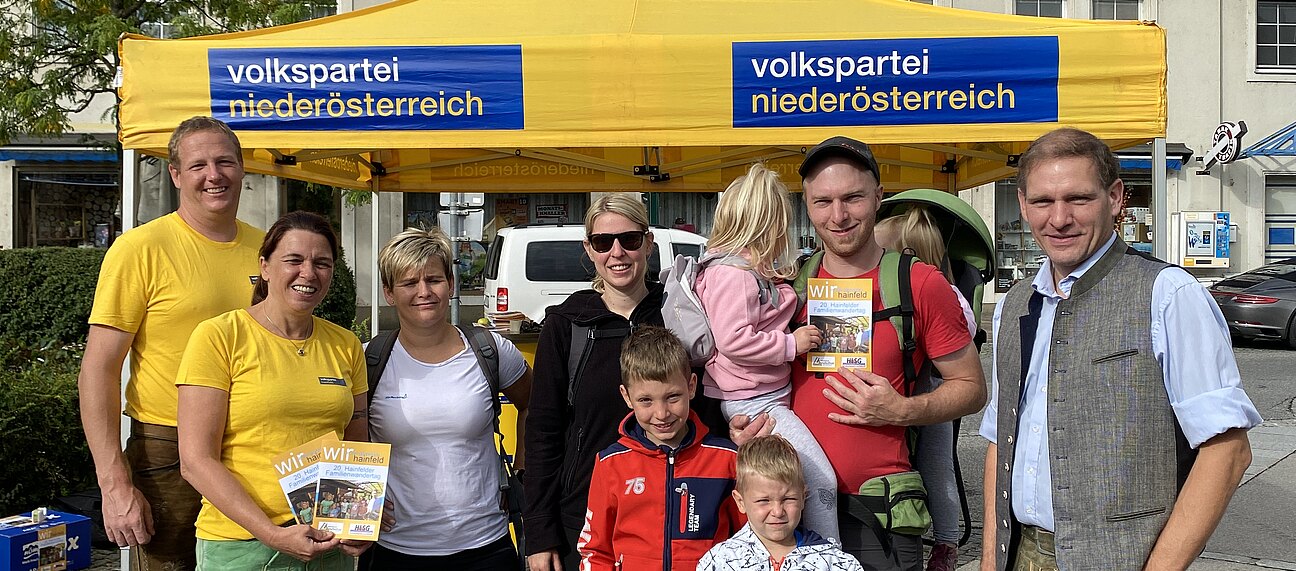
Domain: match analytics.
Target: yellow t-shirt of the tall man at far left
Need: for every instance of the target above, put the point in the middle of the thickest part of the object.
(159, 282)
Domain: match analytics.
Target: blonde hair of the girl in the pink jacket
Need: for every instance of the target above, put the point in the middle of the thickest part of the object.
(754, 216)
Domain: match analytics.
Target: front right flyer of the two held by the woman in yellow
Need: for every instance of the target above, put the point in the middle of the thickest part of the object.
(353, 481)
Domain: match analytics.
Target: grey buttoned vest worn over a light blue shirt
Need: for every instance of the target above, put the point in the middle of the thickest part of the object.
(1113, 434)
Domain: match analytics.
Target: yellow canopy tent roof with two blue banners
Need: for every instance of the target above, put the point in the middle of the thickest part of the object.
(650, 96)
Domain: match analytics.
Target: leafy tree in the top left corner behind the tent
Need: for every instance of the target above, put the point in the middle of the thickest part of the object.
(58, 56)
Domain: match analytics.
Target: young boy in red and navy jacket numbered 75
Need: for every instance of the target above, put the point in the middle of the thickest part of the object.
(662, 497)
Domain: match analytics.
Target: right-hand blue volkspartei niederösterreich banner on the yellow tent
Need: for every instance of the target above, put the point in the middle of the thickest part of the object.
(839, 84)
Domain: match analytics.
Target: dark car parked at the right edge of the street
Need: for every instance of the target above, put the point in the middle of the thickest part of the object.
(1260, 305)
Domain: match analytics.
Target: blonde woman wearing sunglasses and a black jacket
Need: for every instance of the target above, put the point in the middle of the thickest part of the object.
(562, 438)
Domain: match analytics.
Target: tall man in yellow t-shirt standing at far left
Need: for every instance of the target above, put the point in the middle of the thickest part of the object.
(157, 283)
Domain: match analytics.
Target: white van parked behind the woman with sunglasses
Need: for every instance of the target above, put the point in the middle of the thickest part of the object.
(536, 266)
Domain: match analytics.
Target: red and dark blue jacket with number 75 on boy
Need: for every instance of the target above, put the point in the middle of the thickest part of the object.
(654, 508)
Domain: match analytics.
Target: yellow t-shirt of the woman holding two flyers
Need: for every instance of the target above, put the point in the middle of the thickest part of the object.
(278, 401)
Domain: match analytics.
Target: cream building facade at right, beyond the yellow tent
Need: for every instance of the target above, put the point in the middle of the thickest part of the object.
(1228, 62)
